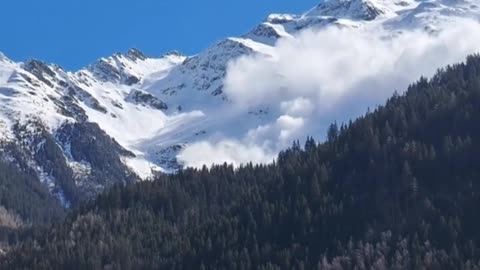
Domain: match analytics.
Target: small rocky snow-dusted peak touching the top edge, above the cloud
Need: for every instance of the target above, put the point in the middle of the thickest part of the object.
(350, 9)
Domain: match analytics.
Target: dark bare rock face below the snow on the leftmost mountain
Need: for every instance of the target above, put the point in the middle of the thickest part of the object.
(75, 163)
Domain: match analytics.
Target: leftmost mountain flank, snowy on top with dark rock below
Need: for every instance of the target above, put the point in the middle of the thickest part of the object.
(40, 105)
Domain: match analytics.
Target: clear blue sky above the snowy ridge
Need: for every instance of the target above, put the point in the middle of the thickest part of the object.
(73, 33)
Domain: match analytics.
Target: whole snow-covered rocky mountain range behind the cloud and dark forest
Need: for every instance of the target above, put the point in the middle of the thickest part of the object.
(128, 116)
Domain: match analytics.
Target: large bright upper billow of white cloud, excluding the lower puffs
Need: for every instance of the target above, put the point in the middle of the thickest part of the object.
(328, 66)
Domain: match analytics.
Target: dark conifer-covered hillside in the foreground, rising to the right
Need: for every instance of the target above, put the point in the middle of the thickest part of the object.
(396, 189)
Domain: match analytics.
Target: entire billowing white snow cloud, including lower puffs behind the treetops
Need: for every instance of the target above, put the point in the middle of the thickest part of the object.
(318, 77)
